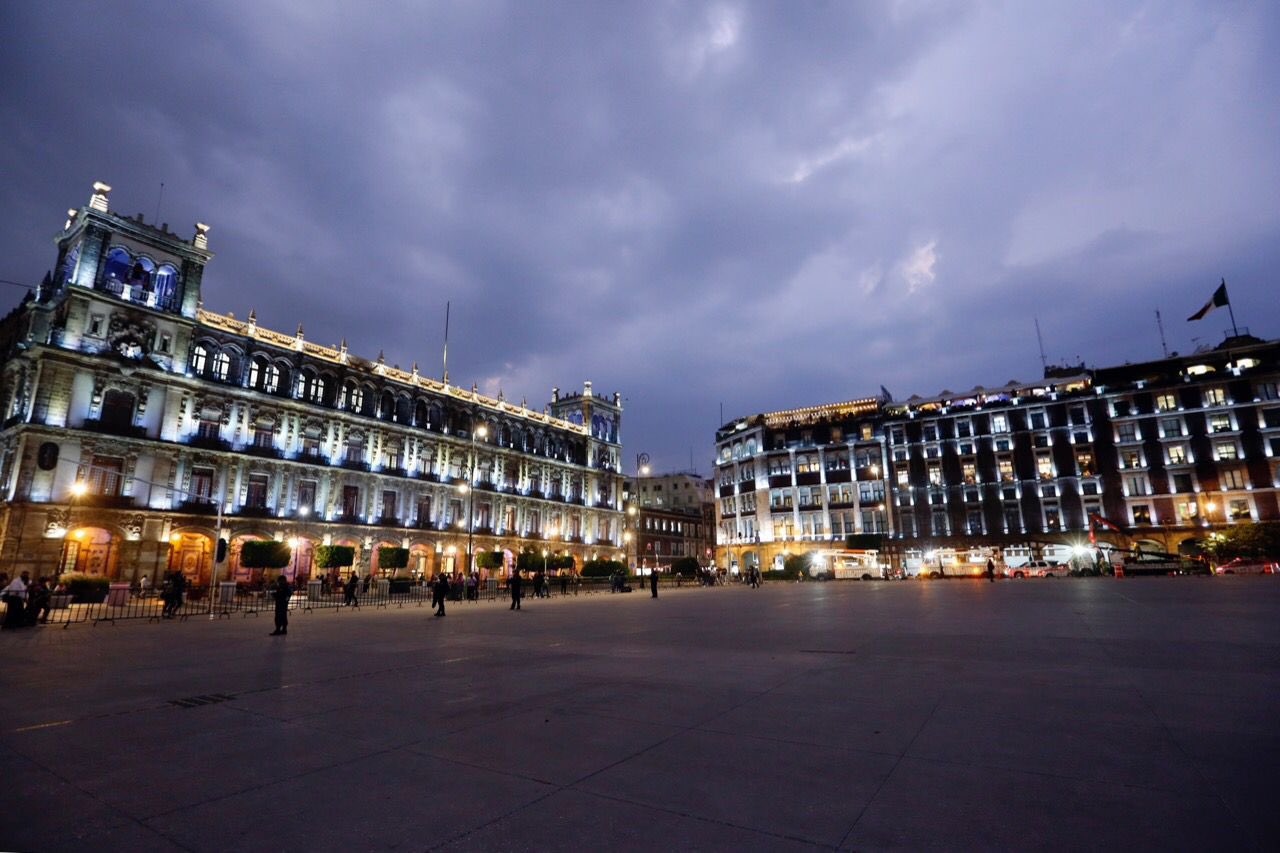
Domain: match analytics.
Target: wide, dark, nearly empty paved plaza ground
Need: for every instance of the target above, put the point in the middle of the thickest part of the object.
(1025, 715)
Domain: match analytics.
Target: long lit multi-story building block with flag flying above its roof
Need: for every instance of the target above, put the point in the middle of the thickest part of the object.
(1163, 450)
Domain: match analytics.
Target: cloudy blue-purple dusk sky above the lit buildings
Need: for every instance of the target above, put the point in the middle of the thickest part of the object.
(758, 206)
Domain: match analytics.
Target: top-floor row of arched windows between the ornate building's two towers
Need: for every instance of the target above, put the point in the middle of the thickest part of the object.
(223, 364)
